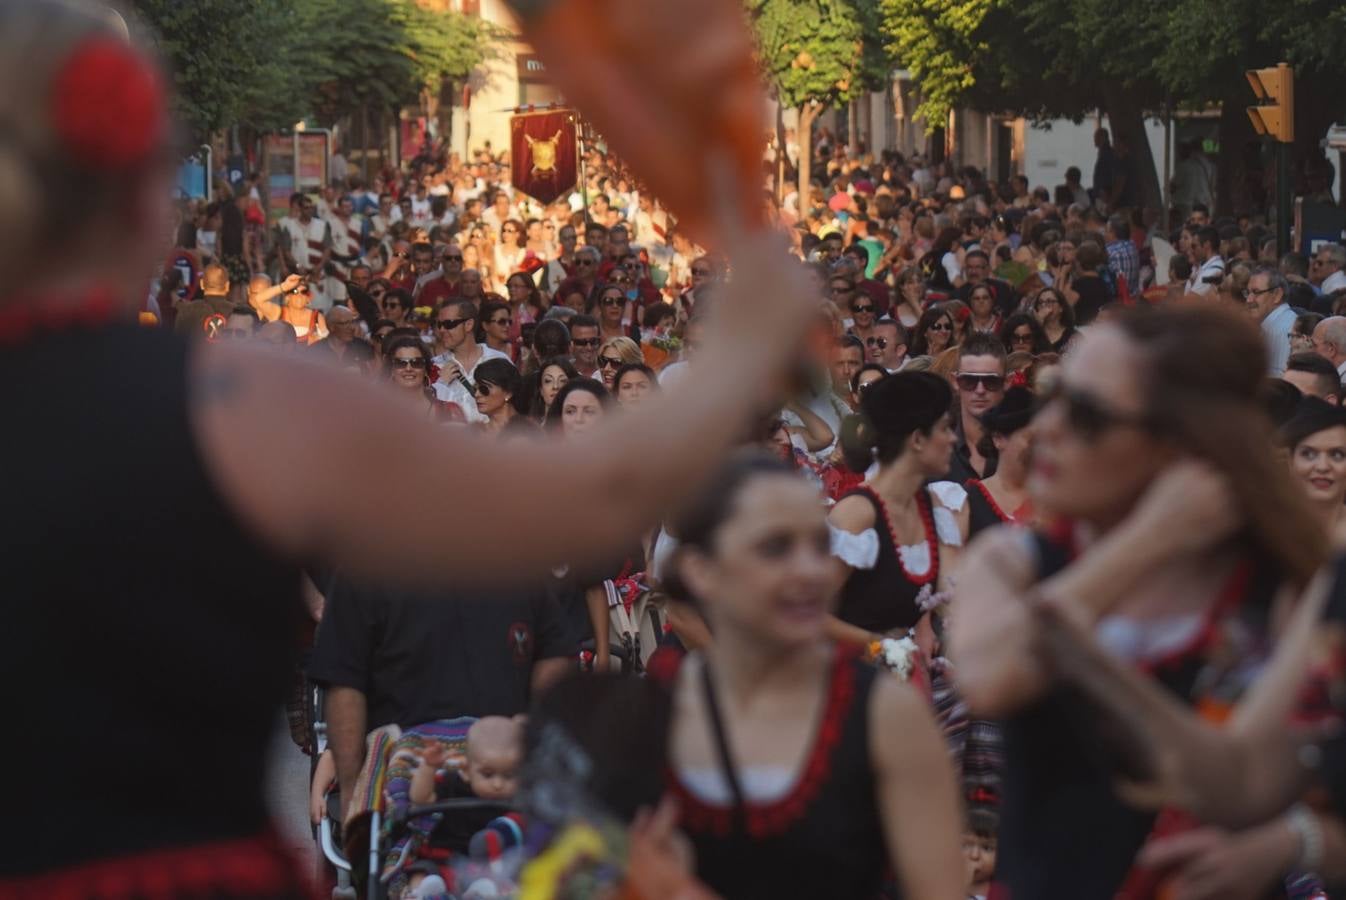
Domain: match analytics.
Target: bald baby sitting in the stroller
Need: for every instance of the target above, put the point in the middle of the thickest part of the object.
(491, 773)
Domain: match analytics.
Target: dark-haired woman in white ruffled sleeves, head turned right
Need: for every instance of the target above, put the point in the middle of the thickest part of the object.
(898, 533)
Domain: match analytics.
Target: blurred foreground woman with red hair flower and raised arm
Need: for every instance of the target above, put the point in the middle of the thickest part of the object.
(197, 642)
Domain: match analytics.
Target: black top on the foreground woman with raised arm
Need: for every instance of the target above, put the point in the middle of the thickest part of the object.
(149, 638)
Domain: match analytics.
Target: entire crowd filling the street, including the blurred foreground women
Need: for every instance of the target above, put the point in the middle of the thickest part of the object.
(944, 540)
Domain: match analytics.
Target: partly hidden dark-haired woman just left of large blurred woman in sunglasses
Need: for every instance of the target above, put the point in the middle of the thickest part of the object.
(1003, 497)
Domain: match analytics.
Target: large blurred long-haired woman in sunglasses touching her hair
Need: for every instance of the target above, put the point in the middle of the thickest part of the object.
(1142, 410)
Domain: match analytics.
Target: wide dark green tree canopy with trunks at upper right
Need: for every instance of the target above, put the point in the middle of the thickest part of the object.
(1067, 59)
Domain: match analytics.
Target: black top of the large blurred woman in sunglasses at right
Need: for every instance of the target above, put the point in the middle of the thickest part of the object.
(1064, 832)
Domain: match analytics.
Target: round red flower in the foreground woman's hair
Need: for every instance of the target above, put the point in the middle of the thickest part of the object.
(108, 106)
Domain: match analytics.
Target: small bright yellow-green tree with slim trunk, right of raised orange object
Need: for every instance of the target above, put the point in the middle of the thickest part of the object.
(818, 54)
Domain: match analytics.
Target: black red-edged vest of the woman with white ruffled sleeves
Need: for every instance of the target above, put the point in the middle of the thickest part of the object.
(885, 598)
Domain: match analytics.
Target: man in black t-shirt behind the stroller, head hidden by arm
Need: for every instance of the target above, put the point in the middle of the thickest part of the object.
(395, 657)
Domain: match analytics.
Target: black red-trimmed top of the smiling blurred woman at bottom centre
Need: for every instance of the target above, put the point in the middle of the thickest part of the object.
(822, 840)
